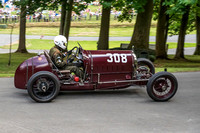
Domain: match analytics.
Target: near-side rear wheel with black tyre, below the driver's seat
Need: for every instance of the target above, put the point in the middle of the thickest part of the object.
(43, 86)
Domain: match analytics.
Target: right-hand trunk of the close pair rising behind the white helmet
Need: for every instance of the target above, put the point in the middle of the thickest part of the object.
(68, 20)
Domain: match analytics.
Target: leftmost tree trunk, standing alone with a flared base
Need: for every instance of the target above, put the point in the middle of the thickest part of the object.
(22, 31)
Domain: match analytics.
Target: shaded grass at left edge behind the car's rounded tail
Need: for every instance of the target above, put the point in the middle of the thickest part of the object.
(16, 59)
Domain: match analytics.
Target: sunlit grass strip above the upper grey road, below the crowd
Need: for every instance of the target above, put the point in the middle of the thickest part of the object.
(89, 32)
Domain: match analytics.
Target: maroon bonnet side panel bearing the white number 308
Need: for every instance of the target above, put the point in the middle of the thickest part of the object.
(109, 65)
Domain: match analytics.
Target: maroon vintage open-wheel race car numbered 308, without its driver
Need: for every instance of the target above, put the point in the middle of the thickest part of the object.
(103, 69)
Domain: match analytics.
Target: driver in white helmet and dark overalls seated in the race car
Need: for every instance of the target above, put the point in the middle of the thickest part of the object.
(59, 52)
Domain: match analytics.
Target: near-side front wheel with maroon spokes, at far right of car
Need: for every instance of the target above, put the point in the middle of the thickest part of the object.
(162, 86)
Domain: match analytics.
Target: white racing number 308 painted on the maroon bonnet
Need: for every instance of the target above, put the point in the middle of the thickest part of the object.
(117, 58)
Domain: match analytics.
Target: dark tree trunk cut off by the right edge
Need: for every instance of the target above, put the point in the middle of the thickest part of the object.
(197, 50)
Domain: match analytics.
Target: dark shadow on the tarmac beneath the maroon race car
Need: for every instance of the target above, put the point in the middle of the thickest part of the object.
(138, 93)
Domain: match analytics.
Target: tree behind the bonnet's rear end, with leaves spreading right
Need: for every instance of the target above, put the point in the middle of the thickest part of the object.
(121, 5)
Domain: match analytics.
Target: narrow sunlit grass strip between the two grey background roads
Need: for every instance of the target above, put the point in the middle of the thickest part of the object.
(89, 45)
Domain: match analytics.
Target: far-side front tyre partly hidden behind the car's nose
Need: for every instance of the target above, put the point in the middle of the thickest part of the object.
(143, 62)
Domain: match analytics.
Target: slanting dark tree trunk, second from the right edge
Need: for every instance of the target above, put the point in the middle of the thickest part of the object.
(182, 32)
